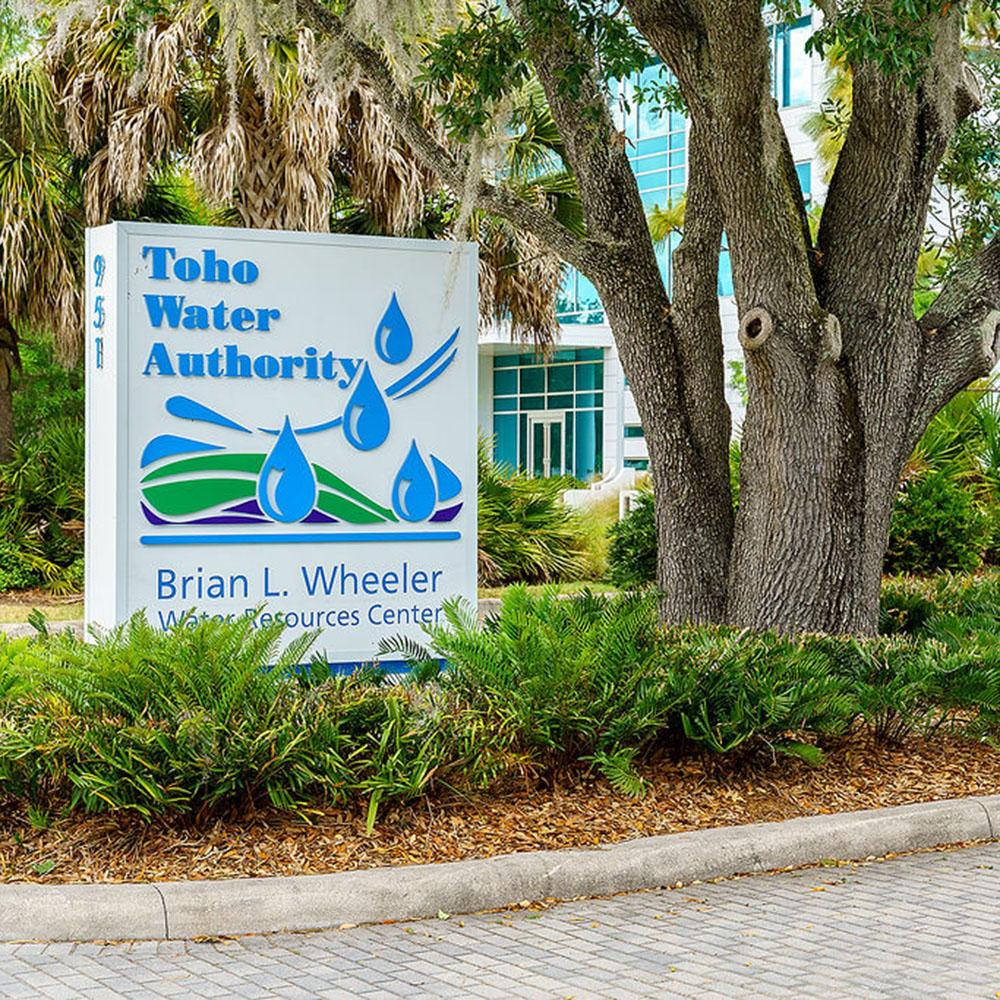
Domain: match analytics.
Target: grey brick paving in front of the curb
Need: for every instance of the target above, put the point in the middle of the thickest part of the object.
(927, 925)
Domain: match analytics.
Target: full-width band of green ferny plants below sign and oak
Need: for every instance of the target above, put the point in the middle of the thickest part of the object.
(193, 725)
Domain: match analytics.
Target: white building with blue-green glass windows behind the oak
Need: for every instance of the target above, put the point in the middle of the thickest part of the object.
(573, 413)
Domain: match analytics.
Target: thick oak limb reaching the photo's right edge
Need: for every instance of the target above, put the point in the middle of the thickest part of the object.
(961, 334)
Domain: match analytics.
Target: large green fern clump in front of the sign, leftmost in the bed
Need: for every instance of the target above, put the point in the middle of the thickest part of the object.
(195, 722)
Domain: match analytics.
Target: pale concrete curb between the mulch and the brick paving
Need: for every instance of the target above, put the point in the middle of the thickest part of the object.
(167, 910)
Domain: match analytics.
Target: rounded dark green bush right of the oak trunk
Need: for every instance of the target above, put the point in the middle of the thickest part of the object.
(937, 524)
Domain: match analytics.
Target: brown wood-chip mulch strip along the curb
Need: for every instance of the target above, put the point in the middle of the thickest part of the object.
(689, 794)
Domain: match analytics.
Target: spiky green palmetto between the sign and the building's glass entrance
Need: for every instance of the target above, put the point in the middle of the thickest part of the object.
(526, 533)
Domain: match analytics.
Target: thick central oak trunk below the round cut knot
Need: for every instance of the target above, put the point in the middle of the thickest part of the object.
(796, 563)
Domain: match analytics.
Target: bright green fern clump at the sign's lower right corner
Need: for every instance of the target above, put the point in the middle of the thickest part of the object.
(564, 678)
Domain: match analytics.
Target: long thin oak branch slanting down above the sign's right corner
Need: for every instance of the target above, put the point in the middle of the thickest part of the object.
(404, 111)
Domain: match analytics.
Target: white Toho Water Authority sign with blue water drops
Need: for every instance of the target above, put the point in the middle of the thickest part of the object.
(280, 424)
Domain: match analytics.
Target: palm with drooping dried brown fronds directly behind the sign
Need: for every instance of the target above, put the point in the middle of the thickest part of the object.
(276, 143)
